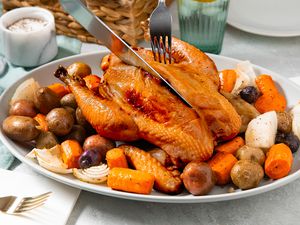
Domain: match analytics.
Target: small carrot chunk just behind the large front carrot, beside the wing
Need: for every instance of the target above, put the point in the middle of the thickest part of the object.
(116, 158)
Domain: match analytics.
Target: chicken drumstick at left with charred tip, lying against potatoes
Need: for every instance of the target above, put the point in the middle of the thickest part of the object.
(108, 119)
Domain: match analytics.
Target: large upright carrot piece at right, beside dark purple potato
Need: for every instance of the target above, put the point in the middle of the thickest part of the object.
(271, 99)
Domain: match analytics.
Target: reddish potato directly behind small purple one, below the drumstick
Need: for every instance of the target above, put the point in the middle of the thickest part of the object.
(98, 143)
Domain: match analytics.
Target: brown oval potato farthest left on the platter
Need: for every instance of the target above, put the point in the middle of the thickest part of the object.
(20, 128)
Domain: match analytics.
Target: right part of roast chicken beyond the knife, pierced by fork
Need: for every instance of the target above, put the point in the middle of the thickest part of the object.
(195, 77)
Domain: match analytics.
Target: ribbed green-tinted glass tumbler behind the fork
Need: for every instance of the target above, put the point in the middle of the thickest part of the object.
(202, 23)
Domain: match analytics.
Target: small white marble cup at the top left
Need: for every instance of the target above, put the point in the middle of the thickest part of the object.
(31, 48)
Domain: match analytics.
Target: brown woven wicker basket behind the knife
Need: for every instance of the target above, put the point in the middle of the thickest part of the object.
(123, 16)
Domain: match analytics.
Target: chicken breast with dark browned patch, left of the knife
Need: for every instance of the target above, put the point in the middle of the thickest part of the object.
(161, 117)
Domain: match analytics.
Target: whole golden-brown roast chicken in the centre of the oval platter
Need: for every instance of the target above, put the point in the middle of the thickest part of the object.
(132, 104)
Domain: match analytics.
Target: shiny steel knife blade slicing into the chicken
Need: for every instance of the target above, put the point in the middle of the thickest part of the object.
(111, 40)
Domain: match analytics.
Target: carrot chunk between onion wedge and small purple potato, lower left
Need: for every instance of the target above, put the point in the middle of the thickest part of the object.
(71, 151)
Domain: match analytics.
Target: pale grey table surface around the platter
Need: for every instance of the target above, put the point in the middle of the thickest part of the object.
(281, 206)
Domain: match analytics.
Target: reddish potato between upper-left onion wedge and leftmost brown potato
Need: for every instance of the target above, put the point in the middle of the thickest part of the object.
(23, 107)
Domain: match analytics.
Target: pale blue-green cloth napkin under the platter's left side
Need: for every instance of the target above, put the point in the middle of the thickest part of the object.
(66, 47)
